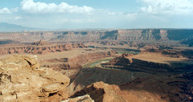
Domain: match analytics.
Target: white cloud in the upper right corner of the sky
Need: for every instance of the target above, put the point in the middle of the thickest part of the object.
(168, 6)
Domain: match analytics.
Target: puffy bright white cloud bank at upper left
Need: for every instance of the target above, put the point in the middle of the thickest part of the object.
(41, 7)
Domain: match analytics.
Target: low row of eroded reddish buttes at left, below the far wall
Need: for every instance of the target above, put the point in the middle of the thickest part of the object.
(37, 48)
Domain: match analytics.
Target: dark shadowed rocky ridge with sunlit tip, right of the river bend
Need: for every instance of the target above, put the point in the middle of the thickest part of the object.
(123, 62)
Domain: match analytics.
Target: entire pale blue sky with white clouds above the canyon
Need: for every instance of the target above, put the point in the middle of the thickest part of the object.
(85, 14)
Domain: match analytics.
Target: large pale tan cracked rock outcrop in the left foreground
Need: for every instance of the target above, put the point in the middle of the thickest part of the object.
(22, 80)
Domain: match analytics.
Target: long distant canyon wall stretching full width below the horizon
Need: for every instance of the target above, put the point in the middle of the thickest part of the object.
(97, 35)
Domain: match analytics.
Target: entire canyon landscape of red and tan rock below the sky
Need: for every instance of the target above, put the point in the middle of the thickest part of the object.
(131, 65)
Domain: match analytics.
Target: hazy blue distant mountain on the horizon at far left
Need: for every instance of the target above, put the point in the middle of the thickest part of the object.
(5, 27)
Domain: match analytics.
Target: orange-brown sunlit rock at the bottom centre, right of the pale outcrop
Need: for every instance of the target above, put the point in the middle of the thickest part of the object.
(101, 92)
